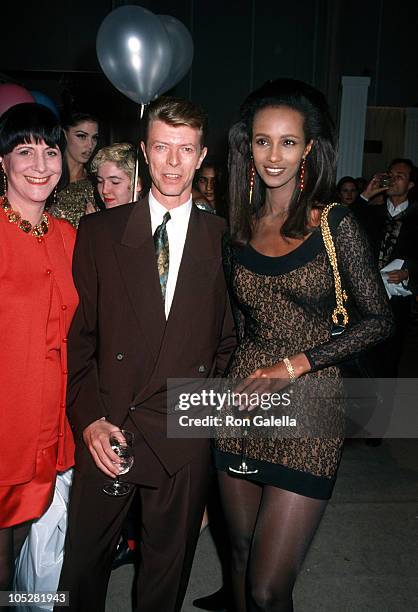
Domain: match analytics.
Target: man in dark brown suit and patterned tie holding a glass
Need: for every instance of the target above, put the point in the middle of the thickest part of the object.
(137, 325)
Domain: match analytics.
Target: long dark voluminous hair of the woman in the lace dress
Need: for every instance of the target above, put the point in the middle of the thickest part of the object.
(320, 162)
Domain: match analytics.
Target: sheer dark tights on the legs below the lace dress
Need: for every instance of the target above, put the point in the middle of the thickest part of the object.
(270, 531)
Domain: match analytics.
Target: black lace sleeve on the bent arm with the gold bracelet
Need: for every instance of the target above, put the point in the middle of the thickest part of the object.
(361, 279)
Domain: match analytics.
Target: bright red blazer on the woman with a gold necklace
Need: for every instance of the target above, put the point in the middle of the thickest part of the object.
(28, 267)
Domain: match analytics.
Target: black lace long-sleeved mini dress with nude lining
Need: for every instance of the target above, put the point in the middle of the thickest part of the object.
(283, 306)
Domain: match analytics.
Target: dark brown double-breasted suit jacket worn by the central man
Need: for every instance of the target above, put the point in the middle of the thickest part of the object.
(122, 349)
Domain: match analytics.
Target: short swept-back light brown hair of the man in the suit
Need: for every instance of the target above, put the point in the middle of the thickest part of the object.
(177, 111)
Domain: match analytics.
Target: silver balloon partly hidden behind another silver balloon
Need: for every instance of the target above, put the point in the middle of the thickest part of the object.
(182, 51)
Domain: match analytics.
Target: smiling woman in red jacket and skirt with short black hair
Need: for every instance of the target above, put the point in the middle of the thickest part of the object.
(37, 302)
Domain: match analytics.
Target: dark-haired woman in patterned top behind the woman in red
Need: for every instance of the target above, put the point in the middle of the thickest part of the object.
(76, 188)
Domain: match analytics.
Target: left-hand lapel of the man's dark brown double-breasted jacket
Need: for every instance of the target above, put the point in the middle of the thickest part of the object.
(136, 258)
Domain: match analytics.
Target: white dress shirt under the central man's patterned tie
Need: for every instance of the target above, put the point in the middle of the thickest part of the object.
(176, 232)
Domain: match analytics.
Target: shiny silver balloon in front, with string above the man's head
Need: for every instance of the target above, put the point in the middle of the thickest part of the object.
(134, 52)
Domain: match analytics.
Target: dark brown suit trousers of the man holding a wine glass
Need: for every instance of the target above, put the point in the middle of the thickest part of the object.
(169, 525)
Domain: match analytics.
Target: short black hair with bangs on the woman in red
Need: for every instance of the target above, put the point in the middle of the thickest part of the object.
(29, 121)
